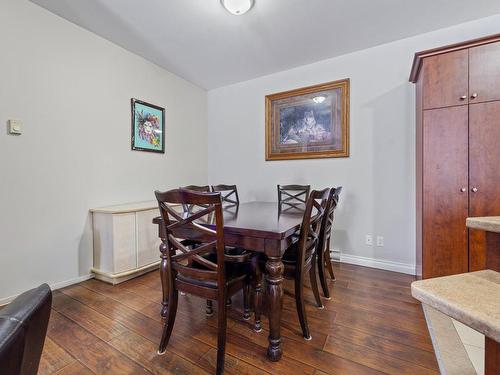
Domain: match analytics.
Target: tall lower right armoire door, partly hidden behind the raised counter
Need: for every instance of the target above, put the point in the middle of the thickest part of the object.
(484, 173)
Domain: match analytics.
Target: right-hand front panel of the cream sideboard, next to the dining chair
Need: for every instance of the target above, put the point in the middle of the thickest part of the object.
(148, 243)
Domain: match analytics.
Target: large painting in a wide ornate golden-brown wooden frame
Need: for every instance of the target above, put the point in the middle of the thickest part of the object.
(307, 123)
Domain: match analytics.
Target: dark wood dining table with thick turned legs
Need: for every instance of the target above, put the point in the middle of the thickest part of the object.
(260, 227)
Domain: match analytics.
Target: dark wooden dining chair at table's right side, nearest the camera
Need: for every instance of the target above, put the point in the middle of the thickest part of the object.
(300, 258)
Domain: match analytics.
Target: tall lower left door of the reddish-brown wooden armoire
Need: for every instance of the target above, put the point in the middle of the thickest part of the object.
(445, 200)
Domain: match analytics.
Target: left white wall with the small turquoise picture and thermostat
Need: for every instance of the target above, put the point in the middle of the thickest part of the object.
(72, 91)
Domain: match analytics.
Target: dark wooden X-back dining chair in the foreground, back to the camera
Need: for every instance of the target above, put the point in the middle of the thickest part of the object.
(199, 271)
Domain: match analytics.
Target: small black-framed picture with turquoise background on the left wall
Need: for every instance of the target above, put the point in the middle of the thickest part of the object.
(148, 127)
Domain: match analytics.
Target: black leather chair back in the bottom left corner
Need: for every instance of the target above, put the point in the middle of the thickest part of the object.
(23, 326)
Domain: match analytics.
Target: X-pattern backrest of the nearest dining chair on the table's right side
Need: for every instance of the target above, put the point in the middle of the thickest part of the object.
(311, 226)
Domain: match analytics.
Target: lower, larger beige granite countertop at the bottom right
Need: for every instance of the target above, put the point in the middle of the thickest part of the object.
(471, 298)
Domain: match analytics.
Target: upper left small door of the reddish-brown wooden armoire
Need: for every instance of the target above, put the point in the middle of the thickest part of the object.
(445, 80)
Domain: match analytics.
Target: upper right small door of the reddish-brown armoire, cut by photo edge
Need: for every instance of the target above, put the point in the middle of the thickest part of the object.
(484, 73)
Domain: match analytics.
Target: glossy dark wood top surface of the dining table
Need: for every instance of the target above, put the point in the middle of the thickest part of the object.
(259, 219)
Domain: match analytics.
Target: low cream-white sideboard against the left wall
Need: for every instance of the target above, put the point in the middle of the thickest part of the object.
(126, 242)
